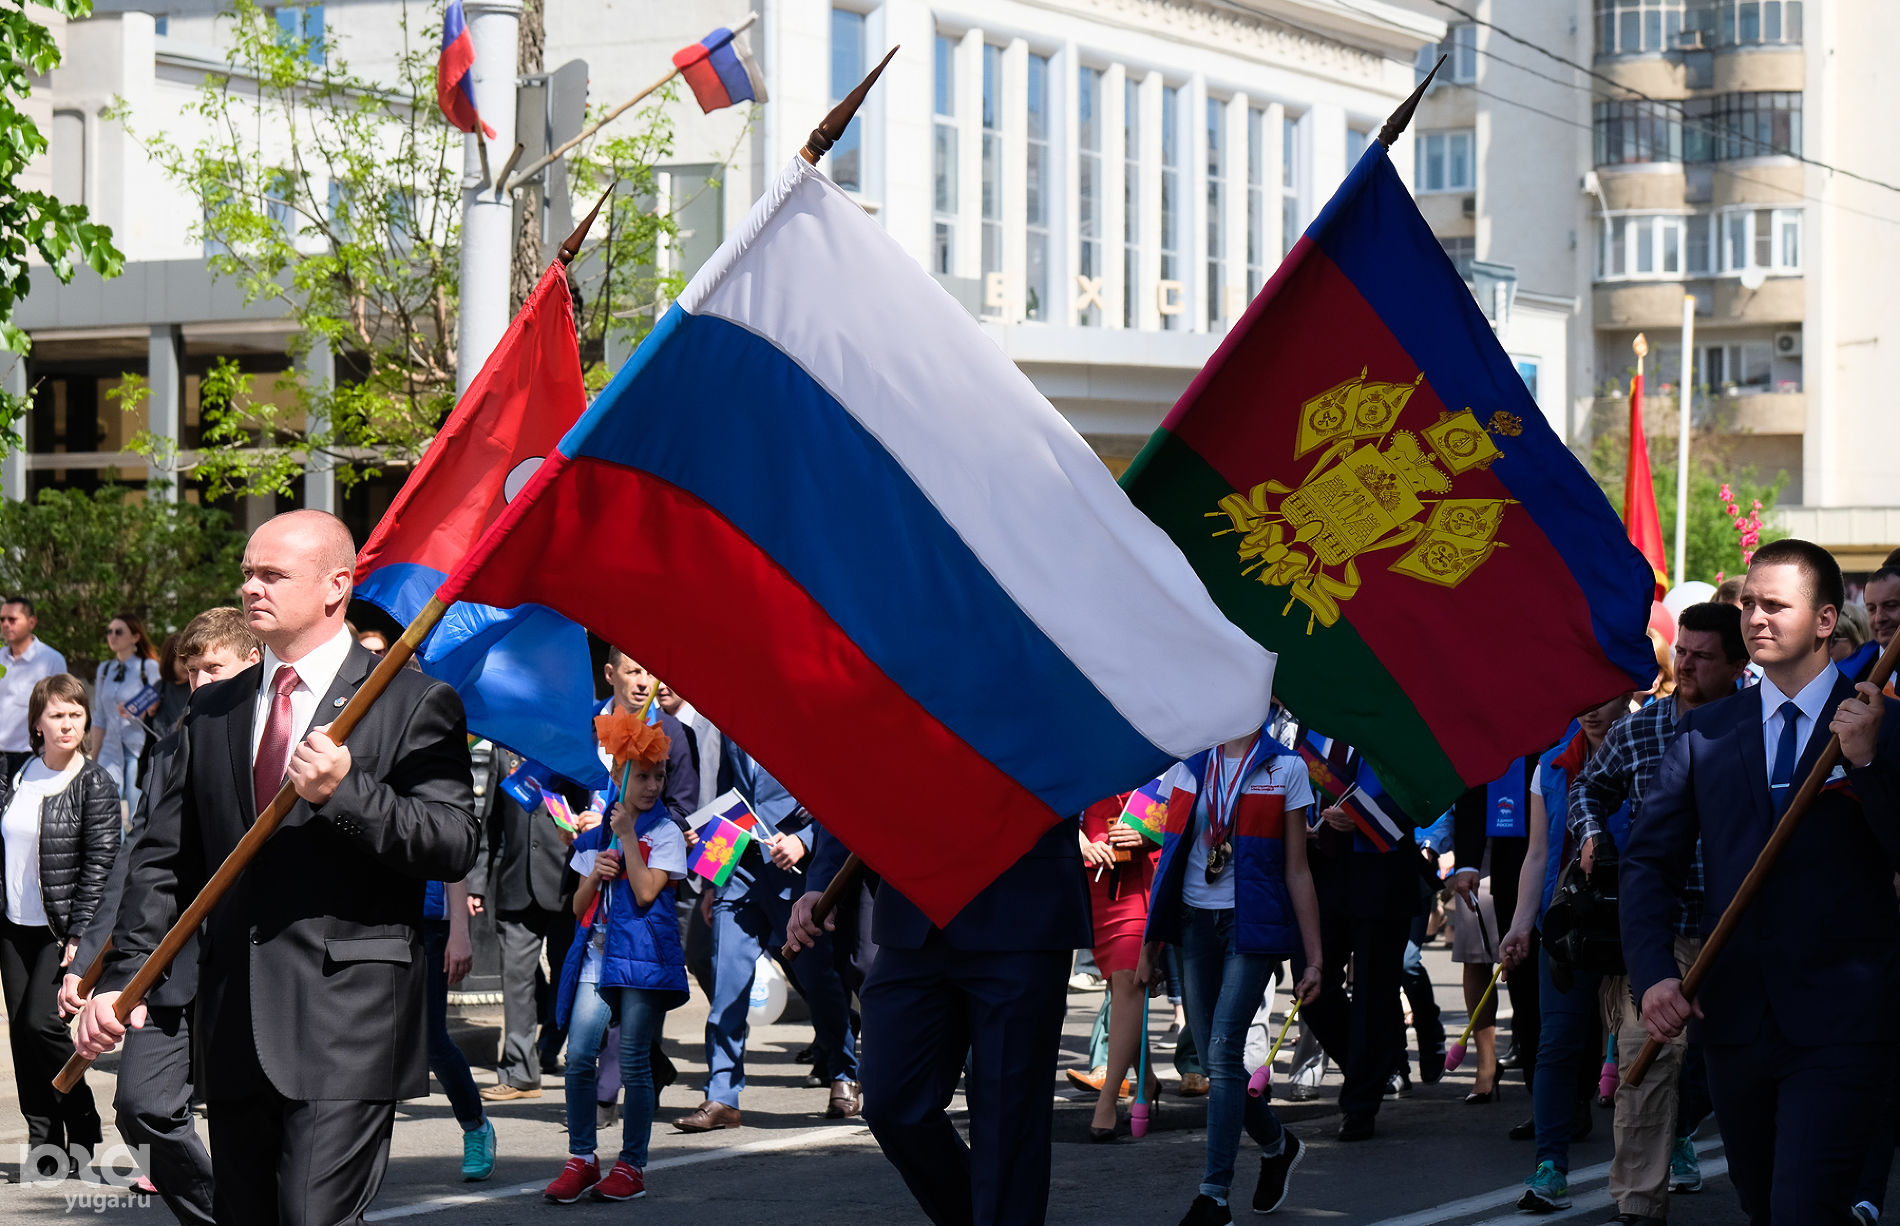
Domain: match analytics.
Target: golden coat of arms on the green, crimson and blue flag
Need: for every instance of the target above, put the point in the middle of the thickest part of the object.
(1367, 493)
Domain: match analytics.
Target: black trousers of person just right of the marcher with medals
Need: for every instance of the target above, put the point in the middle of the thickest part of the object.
(1365, 1035)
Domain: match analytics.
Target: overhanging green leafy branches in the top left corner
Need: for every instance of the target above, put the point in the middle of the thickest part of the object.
(35, 221)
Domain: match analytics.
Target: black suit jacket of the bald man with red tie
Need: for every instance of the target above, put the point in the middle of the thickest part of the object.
(316, 953)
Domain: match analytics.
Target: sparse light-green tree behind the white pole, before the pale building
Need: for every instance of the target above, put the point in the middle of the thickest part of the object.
(341, 199)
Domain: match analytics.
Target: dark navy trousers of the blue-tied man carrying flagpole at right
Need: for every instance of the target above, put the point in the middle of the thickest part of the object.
(1796, 1122)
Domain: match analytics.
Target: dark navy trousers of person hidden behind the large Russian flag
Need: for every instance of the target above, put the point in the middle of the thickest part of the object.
(930, 1008)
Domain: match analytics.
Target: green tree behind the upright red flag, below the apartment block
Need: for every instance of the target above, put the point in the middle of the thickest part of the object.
(1713, 539)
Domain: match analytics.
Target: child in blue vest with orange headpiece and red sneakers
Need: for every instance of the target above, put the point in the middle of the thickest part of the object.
(626, 967)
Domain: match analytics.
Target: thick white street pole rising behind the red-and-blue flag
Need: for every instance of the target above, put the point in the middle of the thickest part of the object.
(487, 220)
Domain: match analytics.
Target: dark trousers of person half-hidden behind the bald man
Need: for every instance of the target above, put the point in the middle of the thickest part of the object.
(155, 1111)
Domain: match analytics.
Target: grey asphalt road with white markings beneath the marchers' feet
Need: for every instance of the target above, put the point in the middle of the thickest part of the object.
(1435, 1160)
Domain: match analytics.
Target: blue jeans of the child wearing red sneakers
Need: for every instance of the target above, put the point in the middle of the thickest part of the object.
(639, 1025)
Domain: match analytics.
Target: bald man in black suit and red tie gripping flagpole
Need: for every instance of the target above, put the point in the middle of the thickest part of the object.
(311, 993)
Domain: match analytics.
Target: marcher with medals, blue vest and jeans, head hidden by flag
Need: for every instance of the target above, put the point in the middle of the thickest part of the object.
(1234, 892)
